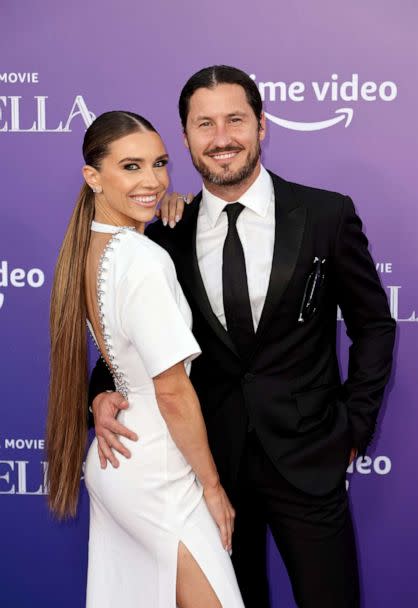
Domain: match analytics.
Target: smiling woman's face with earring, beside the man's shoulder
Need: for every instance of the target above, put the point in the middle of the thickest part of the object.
(133, 178)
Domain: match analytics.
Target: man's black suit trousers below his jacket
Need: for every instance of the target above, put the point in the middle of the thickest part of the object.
(313, 534)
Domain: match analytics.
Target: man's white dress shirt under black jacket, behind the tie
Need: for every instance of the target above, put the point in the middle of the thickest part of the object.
(256, 229)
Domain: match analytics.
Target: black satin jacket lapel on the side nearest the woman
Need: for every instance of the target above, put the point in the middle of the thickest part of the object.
(193, 279)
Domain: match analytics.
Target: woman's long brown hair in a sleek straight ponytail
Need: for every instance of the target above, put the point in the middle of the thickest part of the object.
(66, 432)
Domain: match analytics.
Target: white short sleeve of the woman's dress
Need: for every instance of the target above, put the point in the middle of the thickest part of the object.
(153, 322)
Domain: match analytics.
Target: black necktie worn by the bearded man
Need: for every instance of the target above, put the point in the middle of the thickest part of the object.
(239, 320)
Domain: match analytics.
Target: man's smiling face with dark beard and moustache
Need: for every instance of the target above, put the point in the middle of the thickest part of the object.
(223, 135)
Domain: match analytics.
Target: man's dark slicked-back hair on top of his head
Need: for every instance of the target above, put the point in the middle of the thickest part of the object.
(209, 78)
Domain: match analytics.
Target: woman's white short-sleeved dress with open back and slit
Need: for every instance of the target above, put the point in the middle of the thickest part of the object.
(140, 511)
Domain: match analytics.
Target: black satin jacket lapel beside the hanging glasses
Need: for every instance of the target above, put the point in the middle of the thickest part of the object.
(290, 220)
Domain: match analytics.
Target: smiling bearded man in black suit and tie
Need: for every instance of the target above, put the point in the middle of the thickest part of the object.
(264, 278)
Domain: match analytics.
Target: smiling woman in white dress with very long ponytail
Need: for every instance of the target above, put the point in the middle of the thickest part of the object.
(153, 535)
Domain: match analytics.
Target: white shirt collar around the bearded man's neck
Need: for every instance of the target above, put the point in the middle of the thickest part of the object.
(257, 198)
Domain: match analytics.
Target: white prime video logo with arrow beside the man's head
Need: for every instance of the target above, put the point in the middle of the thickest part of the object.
(333, 90)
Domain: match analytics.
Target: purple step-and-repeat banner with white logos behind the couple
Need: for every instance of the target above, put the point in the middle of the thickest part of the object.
(340, 93)
